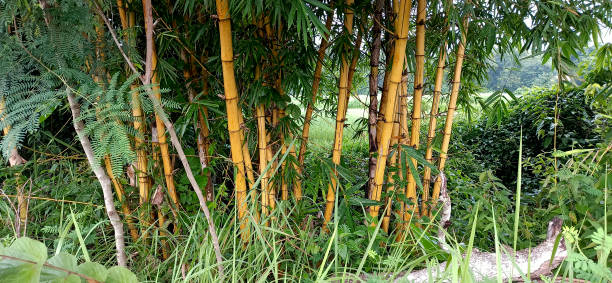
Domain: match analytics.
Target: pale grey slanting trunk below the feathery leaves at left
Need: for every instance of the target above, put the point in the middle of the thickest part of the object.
(104, 180)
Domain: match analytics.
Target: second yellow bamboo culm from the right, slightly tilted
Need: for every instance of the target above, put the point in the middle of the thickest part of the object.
(431, 134)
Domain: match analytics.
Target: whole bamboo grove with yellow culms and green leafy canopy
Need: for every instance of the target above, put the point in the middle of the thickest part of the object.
(223, 92)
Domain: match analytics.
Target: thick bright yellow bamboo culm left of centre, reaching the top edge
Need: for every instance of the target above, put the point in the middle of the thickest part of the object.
(233, 112)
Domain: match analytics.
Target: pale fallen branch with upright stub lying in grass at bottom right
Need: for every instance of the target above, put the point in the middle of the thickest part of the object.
(514, 266)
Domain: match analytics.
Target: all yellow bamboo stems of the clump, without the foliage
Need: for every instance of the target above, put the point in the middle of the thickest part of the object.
(388, 122)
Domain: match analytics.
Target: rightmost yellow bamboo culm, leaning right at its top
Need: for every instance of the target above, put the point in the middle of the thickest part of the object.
(452, 106)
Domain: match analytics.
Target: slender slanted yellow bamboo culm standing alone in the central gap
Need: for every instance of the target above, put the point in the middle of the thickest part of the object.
(340, 117)
